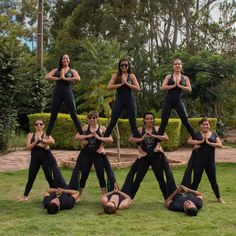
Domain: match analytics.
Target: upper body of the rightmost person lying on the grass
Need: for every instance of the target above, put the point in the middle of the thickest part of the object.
(186, 200)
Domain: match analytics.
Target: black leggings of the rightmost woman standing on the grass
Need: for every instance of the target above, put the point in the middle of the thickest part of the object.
(210, 169)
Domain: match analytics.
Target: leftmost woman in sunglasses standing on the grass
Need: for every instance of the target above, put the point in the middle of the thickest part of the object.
(38, 145)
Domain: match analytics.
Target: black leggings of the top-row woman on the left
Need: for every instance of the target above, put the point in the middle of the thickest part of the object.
(58, 98)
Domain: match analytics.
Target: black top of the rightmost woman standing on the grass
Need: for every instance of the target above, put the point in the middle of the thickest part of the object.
(206, 152)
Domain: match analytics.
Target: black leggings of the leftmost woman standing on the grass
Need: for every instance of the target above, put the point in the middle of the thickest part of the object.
(35, 163)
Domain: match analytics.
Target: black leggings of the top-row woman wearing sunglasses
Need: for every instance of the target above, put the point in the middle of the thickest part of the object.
(130, 107)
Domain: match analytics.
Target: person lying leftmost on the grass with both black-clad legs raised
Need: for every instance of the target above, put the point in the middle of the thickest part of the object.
(63, 196)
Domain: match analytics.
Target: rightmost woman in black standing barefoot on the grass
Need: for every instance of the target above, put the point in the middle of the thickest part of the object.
(206, 142)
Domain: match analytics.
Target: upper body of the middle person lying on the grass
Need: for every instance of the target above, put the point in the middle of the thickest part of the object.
(114, 200)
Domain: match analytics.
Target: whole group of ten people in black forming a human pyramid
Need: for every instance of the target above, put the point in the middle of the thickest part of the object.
(148, 139)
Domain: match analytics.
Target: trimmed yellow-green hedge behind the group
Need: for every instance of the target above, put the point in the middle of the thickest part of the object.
(64, 130)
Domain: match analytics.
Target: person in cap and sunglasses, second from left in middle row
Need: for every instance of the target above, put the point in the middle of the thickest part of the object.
(90, 155)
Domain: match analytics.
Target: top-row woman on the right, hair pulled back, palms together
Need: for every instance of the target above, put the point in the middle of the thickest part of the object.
(175, 84)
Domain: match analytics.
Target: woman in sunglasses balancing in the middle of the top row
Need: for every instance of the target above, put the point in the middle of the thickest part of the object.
(125, 82)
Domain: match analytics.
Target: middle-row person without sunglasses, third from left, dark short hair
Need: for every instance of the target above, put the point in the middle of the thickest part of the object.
(151, 156)
